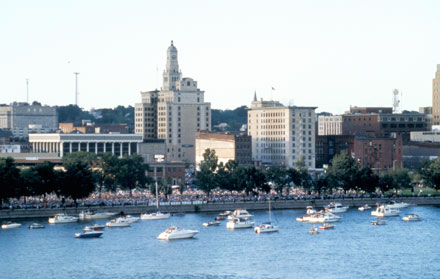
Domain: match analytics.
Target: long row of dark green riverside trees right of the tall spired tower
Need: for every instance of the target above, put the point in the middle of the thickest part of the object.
(343, 174)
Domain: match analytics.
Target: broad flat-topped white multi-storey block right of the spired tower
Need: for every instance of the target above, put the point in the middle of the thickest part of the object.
(281, 135)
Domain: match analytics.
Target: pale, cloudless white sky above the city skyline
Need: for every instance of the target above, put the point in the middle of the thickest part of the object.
(329, 54)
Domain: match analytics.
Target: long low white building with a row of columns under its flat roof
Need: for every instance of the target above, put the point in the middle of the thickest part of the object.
(117, 144)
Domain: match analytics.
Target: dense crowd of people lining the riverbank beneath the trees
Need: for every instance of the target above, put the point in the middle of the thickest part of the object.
(188, 196)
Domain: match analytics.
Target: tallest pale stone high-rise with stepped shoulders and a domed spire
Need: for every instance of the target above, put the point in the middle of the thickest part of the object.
(175, 113)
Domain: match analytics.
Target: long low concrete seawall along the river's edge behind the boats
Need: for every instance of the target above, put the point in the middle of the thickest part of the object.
(209, 207)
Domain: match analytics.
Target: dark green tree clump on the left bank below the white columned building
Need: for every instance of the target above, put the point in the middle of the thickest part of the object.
(83, 173)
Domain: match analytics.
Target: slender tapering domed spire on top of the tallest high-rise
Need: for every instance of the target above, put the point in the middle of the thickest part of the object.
(171, 74)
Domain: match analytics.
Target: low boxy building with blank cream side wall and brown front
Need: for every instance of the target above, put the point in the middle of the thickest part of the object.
(237, 147)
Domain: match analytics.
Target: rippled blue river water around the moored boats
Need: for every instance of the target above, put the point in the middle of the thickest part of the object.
(354, 249)
